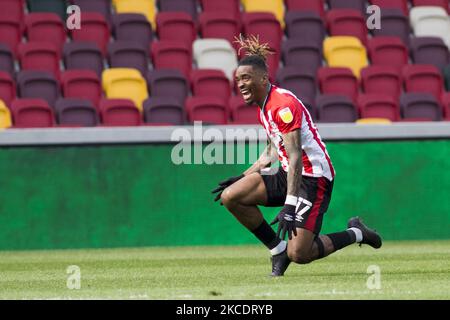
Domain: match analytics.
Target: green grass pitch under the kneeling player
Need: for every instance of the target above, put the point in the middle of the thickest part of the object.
(408, 270)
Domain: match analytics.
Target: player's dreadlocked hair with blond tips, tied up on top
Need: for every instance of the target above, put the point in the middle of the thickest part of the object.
(256, 54)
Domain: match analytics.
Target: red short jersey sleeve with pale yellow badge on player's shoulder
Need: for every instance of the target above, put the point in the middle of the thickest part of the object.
(288, 117)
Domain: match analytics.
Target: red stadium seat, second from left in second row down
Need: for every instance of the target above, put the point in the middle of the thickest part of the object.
(45, 27)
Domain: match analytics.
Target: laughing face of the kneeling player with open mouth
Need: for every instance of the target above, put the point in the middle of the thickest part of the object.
(251, 84)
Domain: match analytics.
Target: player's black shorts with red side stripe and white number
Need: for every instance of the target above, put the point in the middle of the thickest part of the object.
(315, 190)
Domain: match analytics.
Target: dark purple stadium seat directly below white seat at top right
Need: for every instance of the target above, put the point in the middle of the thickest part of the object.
(430, 50)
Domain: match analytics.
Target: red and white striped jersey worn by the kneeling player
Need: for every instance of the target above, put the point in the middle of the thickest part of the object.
(283, 112)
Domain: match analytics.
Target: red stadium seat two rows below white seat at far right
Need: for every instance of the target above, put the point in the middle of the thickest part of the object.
(423, 78)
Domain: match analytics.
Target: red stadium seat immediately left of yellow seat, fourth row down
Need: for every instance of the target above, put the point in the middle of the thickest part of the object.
(83, 84)
